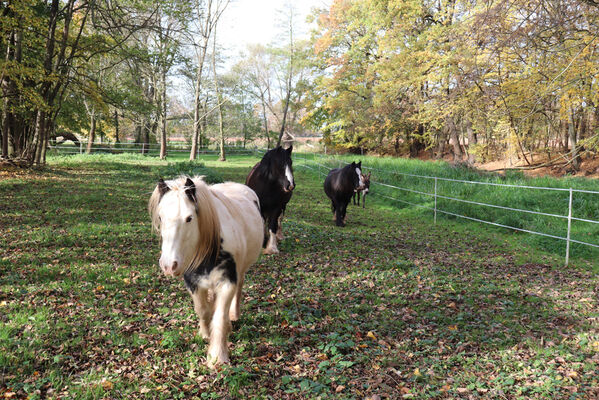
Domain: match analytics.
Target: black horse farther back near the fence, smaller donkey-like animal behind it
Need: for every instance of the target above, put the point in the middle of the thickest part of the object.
(340, 185)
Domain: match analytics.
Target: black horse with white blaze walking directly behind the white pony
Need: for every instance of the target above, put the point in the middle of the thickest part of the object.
(272, 180)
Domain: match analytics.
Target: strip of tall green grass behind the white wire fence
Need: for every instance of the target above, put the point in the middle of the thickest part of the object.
(392, 171)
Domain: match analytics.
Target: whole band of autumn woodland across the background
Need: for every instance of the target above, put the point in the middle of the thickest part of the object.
(468, 80)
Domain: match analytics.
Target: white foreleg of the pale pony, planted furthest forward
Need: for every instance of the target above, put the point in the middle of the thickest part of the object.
(221, 324)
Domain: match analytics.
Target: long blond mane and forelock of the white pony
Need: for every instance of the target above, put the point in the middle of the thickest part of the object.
(207, 216)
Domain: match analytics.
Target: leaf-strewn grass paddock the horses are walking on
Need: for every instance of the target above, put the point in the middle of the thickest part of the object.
(389, 305)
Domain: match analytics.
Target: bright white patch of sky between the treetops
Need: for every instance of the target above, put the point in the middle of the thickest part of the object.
(255, 21)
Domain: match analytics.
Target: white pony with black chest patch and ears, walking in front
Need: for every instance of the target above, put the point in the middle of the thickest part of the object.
(210, 235)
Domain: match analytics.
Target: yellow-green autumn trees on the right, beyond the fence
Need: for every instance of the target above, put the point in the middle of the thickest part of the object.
(390, 71)
